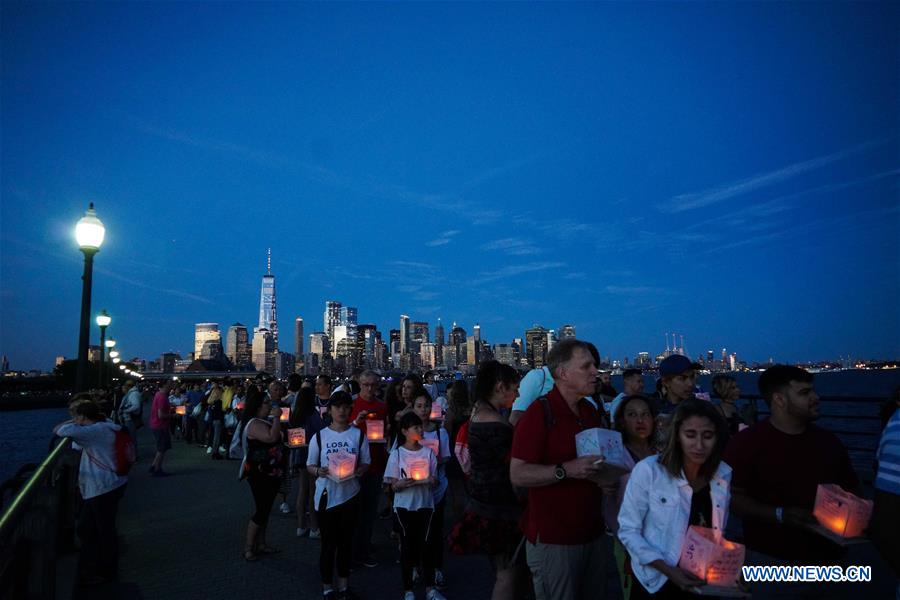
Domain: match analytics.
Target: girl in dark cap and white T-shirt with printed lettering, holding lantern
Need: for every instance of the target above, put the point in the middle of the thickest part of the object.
(336, 499)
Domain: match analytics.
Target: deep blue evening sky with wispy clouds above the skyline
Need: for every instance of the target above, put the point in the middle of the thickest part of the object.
(725, 171)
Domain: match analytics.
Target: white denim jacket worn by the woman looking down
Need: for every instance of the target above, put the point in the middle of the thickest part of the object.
(654, 515)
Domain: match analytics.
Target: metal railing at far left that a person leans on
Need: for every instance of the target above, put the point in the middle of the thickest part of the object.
(37, 525)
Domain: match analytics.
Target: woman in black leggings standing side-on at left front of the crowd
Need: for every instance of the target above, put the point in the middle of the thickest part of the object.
(262, 466)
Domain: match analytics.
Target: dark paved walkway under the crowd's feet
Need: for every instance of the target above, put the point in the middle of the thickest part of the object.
(182, 537)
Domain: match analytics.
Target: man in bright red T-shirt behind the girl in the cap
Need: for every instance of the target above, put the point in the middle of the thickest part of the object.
(368, 407)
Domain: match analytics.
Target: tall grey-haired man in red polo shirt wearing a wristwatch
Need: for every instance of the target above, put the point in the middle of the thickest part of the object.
(562, 522)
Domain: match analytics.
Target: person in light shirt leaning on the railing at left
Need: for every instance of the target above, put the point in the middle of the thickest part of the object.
(100, 486)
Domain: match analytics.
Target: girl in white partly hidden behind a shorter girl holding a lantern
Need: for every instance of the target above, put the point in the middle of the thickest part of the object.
(435, 435)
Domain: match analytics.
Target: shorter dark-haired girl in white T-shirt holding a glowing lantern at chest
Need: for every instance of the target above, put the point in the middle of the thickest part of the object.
(411, 473)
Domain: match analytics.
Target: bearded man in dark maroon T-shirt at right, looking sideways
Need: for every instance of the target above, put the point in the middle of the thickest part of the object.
(778, 464)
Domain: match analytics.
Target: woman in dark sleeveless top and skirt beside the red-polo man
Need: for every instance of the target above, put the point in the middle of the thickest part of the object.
(490, 521)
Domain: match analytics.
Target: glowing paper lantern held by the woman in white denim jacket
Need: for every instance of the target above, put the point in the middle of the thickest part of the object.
(711, 557)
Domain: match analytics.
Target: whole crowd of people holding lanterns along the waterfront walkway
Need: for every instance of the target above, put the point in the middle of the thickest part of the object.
(498, 463)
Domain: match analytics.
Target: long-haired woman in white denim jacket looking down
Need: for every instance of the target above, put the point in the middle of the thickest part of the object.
(659, 505)
